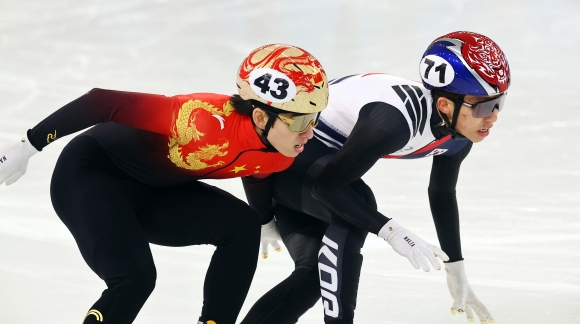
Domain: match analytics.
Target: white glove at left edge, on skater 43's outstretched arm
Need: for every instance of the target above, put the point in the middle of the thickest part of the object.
(14, 158)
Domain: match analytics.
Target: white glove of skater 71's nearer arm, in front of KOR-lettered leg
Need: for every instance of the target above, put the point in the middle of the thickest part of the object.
(411, 246)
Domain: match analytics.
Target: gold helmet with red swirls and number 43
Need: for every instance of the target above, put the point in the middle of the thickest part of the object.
(285, 77)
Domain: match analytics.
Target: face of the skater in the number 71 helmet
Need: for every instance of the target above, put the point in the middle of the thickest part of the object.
(475, 129)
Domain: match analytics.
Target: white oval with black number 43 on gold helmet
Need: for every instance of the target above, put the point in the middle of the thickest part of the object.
(272, 85)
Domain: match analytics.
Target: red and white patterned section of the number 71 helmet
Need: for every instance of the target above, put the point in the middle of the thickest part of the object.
(484, 56)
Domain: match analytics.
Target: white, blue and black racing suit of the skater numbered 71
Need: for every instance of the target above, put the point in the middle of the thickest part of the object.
(323, 208)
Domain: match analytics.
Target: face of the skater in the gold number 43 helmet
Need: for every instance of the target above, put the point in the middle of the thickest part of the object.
(286, 141)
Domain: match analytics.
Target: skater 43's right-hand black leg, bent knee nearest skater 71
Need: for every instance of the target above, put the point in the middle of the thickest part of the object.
(198, 213)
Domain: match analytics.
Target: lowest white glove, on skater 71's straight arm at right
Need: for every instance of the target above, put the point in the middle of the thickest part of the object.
(464, 299)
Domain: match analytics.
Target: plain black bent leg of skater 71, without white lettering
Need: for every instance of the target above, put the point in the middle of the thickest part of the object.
(290, 299)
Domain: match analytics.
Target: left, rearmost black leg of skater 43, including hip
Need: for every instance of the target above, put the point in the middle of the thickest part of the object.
(95, 204)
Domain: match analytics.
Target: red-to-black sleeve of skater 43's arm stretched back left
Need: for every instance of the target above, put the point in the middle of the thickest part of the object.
(154, 113)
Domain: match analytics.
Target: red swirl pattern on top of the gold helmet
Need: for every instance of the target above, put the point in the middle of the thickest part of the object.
(281, 63)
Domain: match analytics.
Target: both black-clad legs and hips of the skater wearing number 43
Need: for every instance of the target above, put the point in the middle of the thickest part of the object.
(113, 218)
